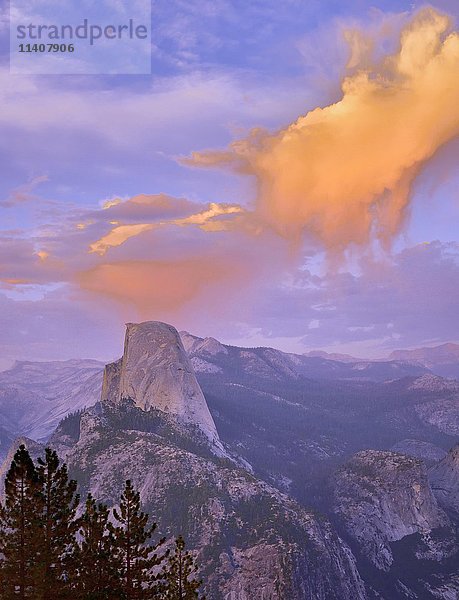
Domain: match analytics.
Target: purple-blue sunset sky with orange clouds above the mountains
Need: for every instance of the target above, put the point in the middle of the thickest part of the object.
(285, 176)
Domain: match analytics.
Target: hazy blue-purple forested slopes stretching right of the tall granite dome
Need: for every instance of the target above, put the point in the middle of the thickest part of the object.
(294, 418)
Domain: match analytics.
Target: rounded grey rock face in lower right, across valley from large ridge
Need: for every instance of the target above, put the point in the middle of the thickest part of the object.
(381, 497)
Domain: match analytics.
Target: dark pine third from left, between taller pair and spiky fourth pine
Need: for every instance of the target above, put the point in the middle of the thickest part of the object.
(96, 569)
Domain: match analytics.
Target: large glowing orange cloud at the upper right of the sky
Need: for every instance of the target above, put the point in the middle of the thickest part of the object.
(344, 172)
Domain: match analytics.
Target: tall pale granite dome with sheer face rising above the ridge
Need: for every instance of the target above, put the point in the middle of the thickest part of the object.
(155, 373)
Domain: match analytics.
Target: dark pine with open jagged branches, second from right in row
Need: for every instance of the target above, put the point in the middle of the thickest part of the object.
(132, 535)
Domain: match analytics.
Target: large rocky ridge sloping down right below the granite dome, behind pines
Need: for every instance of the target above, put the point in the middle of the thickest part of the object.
(251, 541)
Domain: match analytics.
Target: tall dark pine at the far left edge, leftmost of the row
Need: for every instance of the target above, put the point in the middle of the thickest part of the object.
(20, 528)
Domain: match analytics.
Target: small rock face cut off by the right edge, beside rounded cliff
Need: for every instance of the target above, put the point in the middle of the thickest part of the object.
(444, 479)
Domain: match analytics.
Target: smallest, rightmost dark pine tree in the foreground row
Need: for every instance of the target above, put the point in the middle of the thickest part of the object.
(179, 575)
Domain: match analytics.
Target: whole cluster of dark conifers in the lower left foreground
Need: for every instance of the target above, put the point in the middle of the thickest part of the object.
(46, 553)
